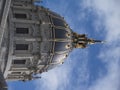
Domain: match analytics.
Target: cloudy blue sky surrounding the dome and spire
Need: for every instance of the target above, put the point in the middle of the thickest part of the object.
(98, 66)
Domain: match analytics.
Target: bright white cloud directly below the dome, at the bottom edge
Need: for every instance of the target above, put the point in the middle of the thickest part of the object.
(62, 77)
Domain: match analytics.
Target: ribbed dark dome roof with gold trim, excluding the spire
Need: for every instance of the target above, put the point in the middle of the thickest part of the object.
(56, 39)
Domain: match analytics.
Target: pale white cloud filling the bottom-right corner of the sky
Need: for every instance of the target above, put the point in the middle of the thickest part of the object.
(111, 81)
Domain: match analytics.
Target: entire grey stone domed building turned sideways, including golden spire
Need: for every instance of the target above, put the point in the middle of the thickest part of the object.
(33, 40)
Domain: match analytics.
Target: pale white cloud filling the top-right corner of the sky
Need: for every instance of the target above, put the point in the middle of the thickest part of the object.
(110, 8)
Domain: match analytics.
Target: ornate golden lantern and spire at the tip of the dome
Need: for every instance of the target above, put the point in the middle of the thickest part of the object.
(81, 40)
